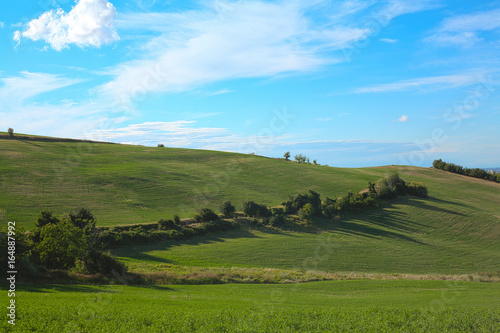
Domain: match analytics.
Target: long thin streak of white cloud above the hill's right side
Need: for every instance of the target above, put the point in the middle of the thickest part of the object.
(427, 84)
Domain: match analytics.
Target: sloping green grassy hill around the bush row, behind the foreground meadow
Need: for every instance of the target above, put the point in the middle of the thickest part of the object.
(455, 230)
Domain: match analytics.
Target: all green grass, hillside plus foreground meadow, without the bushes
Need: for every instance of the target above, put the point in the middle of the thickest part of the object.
(455, 231)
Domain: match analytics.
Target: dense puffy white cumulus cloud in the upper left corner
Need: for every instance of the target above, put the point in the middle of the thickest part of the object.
(89, 23)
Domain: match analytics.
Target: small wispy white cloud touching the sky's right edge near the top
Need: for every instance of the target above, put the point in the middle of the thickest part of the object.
(464, 30)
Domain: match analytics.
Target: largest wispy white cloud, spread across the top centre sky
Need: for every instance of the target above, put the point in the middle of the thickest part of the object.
(242, 40)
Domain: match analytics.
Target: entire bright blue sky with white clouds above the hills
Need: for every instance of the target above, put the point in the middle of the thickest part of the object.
(349, 83)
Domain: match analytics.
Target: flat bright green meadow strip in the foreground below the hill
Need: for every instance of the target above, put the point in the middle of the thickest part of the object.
(334, 306)
